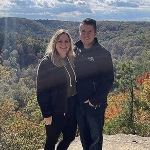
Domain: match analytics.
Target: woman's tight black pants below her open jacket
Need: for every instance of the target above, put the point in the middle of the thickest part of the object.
(65, 124)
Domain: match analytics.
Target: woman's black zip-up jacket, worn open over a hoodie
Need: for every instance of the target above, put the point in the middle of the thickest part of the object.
(51, 88)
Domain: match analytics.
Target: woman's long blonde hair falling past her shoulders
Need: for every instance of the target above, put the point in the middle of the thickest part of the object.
(54, 55)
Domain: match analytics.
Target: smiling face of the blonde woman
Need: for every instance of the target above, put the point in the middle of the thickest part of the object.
(63, 45)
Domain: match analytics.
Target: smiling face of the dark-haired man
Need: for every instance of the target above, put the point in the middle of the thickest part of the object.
(87, 35)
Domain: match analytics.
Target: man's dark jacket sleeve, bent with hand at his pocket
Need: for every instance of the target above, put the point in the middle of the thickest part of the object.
(105, 82)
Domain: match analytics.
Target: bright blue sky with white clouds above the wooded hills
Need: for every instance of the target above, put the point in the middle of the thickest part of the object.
(77, 10)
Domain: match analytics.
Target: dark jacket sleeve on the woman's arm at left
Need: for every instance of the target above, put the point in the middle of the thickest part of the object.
(44, 88)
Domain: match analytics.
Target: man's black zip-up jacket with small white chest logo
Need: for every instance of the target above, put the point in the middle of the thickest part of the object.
(94, 70)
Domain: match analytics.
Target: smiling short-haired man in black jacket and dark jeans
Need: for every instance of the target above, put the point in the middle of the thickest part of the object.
(95, 77)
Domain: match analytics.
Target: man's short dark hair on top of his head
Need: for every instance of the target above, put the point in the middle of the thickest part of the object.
(88, 21)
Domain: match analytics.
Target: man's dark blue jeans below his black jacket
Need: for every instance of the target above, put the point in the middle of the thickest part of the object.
(91, 122)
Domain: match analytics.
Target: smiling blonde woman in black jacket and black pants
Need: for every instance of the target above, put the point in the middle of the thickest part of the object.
(56, 91)
